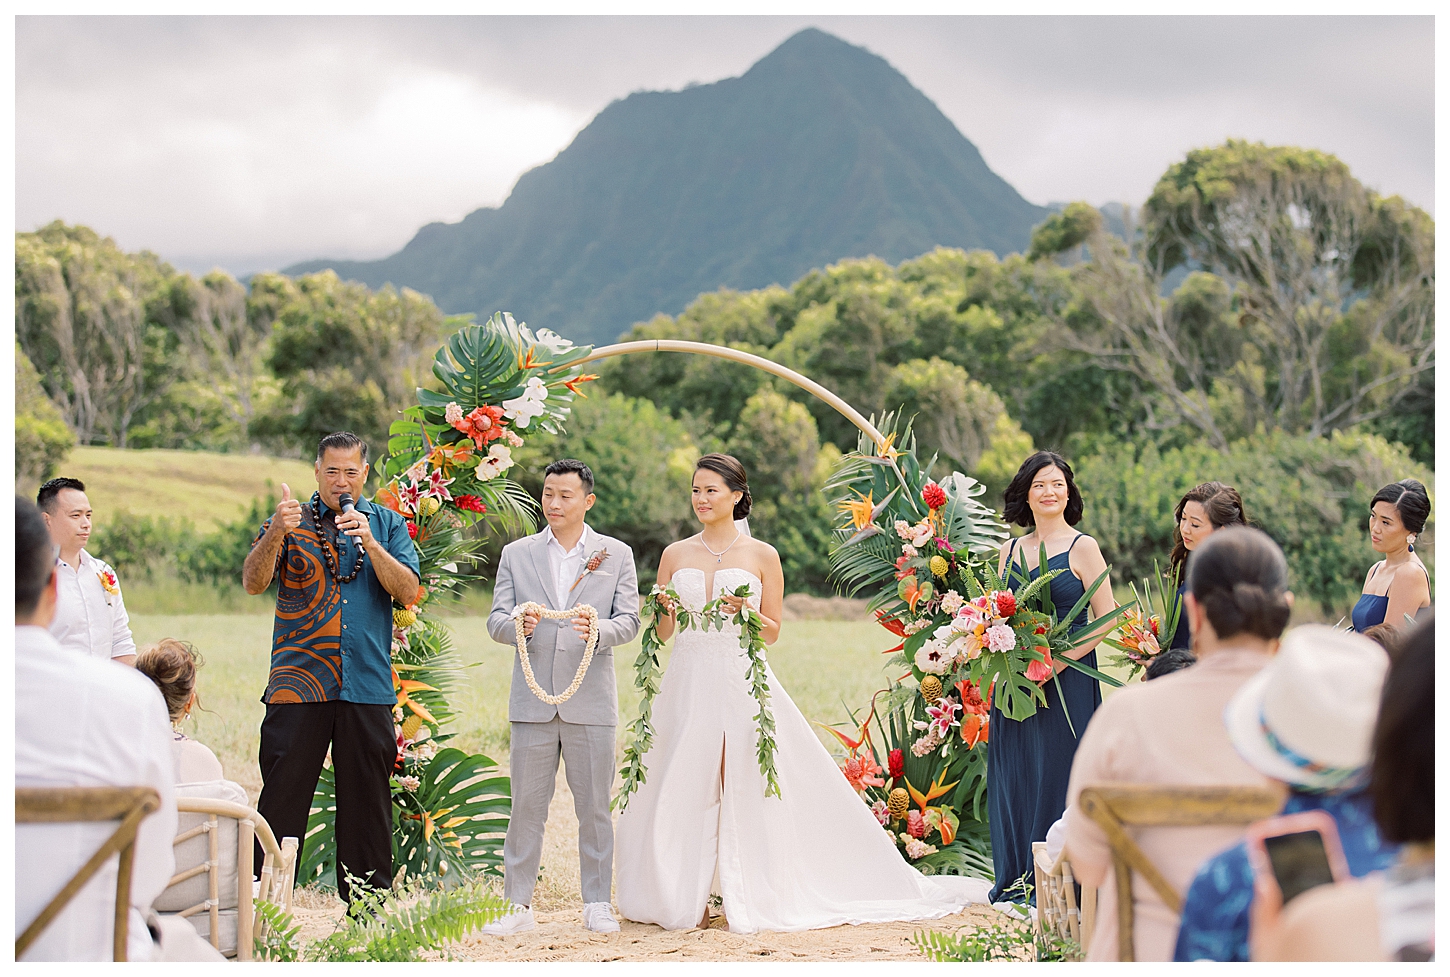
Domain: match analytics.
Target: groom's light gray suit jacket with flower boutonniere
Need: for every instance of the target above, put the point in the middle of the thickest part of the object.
(556, 649)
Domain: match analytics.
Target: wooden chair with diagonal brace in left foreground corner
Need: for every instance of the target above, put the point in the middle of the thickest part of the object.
(86, 805)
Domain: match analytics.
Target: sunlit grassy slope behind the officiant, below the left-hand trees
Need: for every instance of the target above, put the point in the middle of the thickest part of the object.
(207, 488)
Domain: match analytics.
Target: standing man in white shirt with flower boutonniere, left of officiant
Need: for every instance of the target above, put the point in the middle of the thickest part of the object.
(91, 615)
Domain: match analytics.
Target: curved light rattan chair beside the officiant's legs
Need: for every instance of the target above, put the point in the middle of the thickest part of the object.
(208, 818)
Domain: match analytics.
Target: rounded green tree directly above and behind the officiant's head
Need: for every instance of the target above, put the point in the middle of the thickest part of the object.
(349, 359)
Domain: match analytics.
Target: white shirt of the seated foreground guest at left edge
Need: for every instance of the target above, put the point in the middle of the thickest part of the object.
(88, 724)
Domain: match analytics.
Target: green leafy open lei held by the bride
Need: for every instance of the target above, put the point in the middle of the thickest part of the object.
(647, 681)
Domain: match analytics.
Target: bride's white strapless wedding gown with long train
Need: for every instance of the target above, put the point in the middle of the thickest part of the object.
(813, 857)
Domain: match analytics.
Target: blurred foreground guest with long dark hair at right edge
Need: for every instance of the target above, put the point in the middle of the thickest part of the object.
(1385, 915)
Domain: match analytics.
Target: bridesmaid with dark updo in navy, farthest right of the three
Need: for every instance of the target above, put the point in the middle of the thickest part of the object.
(1399, 586)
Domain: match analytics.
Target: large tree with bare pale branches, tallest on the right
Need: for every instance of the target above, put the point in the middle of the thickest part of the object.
(1326, 307)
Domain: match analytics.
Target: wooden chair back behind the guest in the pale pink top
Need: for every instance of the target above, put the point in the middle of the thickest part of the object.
(1120, 807)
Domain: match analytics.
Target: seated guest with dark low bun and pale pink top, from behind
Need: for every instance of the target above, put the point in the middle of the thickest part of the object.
(1171, 733)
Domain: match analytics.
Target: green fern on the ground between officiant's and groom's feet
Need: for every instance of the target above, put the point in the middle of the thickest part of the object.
(404, 926)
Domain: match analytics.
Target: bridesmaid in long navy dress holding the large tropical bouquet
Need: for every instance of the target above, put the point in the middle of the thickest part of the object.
(1029, 762)
